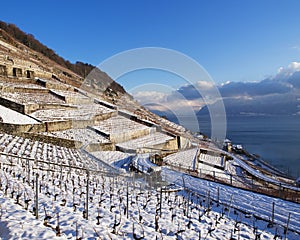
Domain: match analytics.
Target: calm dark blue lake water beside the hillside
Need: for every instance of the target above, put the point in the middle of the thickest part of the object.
(275, 138)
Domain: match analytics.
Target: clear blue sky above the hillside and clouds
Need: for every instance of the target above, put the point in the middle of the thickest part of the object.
(233, 40)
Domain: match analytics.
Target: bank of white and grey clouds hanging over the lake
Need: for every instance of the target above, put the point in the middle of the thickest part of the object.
(188, 98)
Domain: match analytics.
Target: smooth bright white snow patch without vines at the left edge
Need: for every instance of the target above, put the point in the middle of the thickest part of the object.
(13, 117)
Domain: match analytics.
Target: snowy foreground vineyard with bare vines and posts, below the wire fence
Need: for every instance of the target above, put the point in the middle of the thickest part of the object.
(126, 208)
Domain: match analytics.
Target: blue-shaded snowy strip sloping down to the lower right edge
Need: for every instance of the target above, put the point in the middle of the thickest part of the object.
(253, 203)
